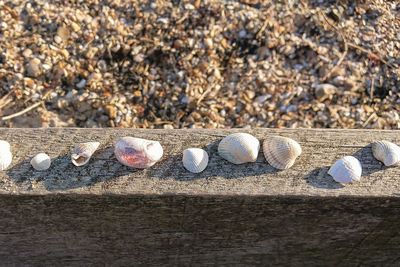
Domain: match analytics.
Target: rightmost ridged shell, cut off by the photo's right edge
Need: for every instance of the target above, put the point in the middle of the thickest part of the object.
(387, 152)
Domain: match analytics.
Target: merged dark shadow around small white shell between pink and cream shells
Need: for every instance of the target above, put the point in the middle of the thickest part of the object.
(217, 166)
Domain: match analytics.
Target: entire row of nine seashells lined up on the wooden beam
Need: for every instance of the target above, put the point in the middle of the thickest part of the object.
(238, 148)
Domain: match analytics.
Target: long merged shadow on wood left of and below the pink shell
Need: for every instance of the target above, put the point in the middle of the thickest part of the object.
(63, 175)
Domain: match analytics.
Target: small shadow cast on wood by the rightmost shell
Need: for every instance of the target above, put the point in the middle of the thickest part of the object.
(368, 162)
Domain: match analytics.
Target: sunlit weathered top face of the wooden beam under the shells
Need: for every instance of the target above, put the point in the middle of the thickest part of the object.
(103, 174)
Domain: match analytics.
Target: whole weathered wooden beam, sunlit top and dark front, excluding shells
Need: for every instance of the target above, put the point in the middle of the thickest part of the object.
(250, 214)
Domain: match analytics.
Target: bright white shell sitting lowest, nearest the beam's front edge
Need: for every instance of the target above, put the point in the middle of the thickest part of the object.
(346, 170)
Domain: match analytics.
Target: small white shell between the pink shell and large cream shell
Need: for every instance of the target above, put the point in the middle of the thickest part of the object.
(195, 159)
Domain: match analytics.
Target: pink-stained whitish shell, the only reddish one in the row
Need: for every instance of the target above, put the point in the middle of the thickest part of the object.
(137, 152)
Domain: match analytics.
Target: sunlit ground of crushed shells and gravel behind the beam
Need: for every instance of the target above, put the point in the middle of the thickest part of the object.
(208, 64)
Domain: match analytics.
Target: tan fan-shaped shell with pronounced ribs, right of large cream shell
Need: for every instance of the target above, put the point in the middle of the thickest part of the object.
(281, 152)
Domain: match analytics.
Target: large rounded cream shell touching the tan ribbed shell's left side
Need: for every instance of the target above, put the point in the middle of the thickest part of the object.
(239, 148)
